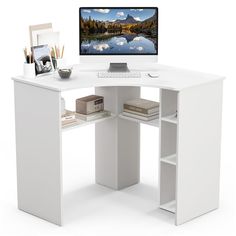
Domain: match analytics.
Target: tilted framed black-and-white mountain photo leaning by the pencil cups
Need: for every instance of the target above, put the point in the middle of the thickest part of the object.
(42, 59)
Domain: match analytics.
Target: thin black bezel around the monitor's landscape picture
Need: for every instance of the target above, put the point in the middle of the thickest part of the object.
(120, 54)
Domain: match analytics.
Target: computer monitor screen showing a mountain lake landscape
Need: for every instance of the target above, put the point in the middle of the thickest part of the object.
(118, 31)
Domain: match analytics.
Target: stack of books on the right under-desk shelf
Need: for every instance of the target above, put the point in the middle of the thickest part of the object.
(141, 109)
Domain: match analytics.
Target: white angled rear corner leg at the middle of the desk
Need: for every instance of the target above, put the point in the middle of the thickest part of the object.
(117, 141)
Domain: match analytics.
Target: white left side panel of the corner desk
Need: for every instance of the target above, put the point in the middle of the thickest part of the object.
(38, 151)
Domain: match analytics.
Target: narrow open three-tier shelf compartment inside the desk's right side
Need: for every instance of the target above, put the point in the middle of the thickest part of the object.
(168, 149)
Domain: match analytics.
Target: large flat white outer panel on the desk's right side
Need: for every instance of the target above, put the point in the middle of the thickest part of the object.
(198, 150)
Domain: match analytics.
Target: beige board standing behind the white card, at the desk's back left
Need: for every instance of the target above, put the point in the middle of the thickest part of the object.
(34, 30)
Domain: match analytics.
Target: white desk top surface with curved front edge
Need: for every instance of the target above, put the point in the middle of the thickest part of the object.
(82, 77)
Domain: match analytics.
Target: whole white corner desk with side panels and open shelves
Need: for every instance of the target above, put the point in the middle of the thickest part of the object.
(190, 145)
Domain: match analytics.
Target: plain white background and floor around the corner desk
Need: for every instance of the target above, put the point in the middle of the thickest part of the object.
(196, 34)
